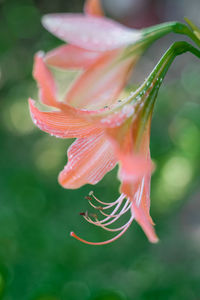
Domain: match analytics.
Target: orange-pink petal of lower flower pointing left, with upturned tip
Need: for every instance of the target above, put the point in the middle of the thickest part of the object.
(63, 124)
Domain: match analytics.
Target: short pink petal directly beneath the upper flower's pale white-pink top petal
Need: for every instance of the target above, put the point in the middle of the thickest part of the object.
(71, 57)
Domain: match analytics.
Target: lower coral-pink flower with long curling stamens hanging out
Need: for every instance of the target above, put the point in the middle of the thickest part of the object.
(104, 137)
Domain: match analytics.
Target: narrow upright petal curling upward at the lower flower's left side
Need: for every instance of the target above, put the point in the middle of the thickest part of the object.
(45, 81)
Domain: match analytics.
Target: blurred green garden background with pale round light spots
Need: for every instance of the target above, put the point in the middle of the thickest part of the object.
(38, 258)
